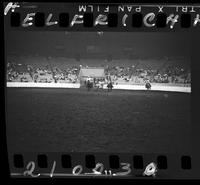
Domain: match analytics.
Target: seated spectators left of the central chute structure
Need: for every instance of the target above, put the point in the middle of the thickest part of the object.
(45, 74)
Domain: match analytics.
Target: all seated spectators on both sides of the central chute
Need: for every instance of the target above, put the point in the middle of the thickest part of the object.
(172, 74)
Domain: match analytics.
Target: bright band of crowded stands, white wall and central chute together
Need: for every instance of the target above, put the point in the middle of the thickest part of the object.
(164, 75)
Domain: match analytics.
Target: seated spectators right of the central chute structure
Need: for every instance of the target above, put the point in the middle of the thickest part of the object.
(169, 74)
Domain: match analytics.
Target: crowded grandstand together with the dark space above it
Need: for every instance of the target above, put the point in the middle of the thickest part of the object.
(127, 58)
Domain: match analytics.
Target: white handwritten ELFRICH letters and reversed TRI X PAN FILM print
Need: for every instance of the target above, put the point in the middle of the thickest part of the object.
(101, 19)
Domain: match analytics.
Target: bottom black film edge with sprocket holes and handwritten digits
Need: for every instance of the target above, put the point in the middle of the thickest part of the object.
(73, 165)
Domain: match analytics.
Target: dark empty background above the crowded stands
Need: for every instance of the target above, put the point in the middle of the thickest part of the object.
(119, 45)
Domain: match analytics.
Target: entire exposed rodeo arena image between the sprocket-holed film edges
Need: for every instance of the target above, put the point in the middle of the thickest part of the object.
(84, 92)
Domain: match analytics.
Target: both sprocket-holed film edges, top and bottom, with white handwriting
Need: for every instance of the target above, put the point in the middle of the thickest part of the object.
(129, 18)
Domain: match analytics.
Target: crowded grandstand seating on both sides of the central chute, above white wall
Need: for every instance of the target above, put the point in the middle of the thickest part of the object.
(40, 69)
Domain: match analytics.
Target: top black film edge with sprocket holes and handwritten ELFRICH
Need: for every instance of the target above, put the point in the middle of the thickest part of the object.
(113, 17)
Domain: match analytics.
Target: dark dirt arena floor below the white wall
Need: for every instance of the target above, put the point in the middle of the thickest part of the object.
(75, 120)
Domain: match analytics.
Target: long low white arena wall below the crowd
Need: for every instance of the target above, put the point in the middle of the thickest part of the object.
(77, 85)
